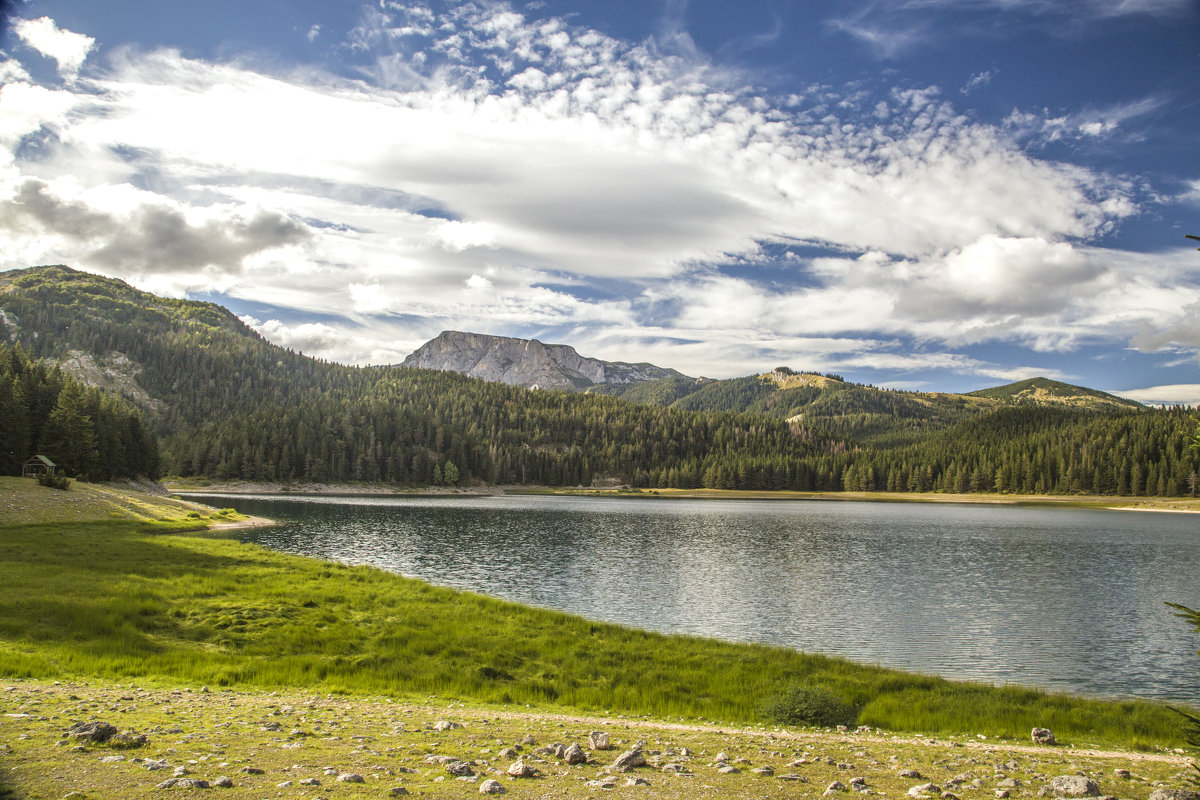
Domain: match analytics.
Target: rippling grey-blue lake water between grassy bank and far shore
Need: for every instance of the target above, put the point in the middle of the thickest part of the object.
(1064, 599)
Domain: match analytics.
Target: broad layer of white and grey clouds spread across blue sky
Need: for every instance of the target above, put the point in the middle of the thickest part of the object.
(489, 171)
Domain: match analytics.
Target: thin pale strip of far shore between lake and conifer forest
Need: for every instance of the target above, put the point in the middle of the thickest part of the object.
(1115, 503)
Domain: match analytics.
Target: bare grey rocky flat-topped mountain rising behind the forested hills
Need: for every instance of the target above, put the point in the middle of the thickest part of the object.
(529, 363)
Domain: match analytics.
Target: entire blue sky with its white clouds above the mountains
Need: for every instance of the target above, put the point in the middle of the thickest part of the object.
(926, 195)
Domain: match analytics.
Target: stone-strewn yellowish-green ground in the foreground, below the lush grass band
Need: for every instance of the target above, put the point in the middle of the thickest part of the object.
(107, 741)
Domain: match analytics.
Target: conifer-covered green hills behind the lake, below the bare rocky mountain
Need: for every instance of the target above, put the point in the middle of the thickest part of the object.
(227, 405)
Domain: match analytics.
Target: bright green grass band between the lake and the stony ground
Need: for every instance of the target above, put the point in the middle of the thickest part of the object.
(123, 600)
